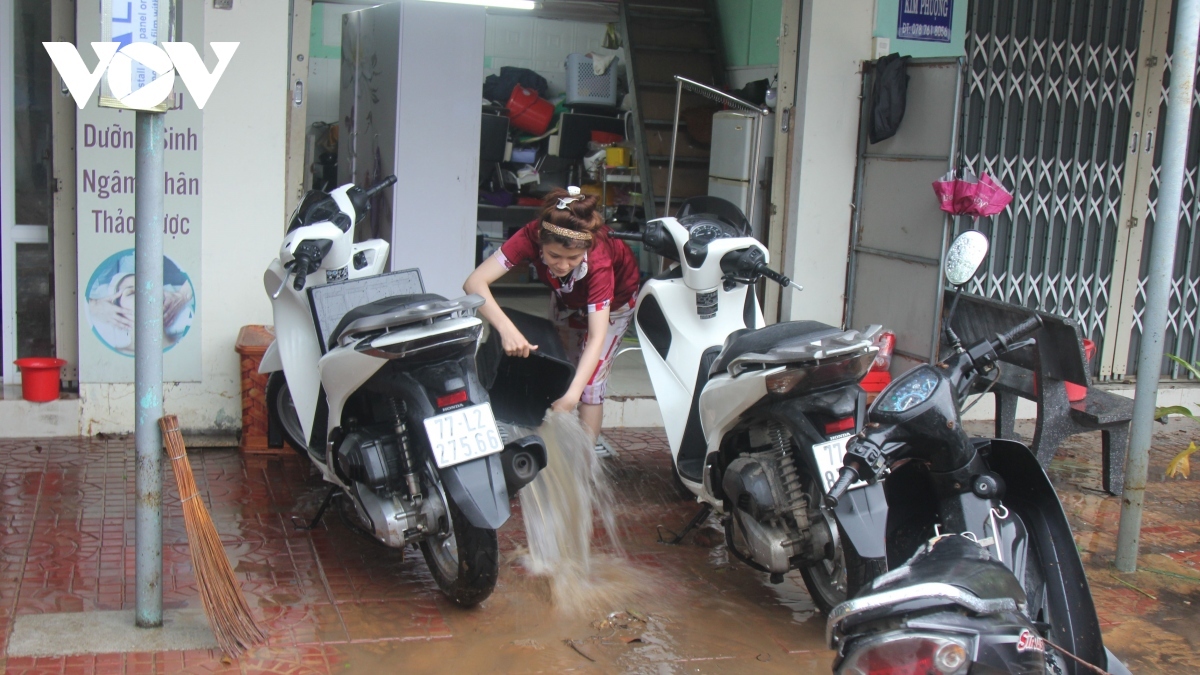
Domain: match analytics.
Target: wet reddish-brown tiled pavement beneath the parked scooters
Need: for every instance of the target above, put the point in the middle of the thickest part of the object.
(334, 602)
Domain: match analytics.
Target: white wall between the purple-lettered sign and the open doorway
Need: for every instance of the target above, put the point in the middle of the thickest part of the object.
(243, 204)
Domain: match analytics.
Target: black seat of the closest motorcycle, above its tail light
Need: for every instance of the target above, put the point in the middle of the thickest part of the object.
(957, 561)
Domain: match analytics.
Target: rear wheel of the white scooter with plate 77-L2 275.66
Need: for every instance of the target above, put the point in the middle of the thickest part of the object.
(465, 563)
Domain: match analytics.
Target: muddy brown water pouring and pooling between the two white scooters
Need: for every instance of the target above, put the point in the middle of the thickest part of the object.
(626, 604)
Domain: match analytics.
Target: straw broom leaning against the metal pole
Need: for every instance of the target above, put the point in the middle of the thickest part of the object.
(224, 602)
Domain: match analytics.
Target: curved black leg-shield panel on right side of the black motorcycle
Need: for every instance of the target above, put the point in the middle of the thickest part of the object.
(1033, 497)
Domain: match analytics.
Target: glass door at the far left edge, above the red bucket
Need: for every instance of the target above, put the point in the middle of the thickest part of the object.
(27, 289)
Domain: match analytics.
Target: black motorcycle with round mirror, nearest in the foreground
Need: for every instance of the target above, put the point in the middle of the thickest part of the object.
(993, 581)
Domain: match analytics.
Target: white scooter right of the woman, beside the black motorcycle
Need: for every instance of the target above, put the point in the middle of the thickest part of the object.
(758, 417)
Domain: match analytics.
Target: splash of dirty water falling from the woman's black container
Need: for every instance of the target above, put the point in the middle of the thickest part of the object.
(561, 507)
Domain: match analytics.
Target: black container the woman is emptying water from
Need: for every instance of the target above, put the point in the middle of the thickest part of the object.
(523, 390)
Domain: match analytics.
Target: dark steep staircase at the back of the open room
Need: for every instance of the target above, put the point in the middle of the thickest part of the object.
(664, 39)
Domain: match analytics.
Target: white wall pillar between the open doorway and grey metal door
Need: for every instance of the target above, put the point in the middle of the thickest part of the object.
(836, 39)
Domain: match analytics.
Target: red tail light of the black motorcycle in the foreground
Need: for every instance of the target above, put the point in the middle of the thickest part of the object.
(909, 654)
